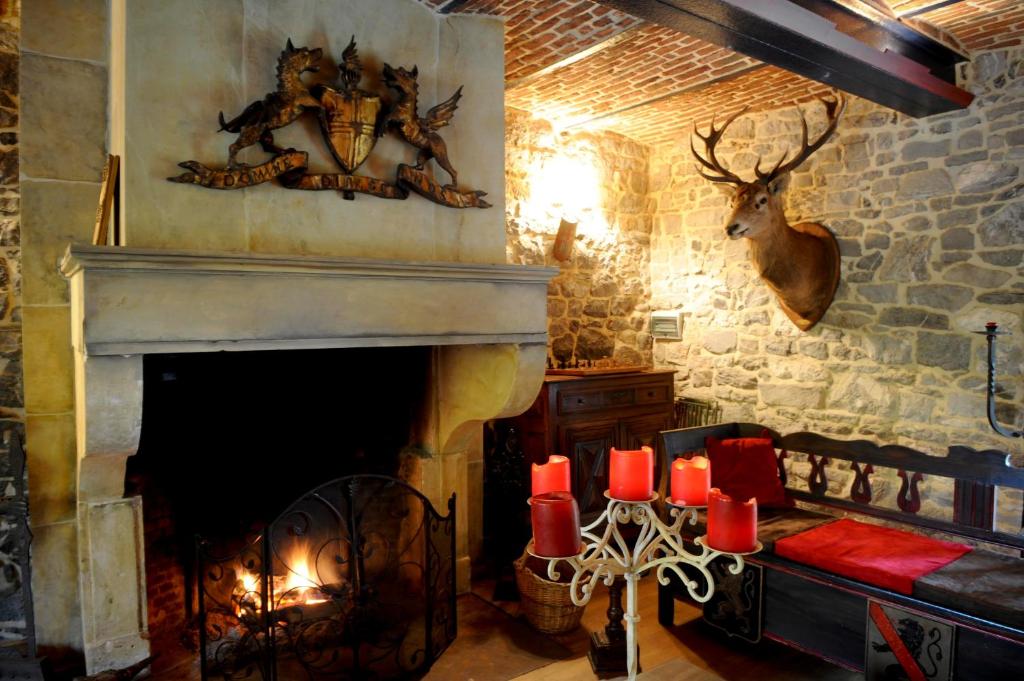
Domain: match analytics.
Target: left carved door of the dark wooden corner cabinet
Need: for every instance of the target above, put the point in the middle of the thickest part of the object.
(588, 446)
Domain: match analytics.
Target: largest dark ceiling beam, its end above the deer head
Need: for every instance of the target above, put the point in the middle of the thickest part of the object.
(791, 37)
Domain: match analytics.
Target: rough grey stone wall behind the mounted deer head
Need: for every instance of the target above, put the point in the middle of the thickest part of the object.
(929, 218)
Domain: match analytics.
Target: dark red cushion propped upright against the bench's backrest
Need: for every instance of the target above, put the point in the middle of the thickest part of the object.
(746, 467)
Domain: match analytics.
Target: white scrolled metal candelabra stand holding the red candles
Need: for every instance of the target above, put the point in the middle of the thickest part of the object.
(658, 546)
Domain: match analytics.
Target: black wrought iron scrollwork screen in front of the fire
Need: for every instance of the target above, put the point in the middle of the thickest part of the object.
(355, 581)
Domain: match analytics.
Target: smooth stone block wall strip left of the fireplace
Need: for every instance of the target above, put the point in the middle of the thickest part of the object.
(64, 78)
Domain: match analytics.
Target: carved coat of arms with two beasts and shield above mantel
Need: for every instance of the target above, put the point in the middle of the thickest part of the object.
(352, 120)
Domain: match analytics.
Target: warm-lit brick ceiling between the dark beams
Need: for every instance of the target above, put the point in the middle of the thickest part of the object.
(581, 64)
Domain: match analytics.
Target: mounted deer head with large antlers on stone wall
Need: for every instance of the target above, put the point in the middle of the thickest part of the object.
(800, 263)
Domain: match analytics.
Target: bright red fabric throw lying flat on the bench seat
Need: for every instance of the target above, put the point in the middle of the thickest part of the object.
(882, 557)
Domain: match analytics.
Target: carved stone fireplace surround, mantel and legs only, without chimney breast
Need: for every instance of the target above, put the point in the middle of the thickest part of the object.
(488, 325)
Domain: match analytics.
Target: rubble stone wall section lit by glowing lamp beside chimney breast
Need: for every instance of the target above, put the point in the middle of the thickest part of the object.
(598, 306)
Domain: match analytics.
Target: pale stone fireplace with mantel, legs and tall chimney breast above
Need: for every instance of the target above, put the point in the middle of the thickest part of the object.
(269, 270)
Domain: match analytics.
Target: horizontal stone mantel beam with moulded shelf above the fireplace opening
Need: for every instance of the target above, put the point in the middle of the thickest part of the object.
(137, 302)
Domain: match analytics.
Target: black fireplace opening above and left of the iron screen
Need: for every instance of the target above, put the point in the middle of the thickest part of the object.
(230, 440)
